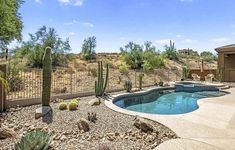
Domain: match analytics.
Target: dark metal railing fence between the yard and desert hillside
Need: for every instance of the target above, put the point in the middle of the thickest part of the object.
(28, 82)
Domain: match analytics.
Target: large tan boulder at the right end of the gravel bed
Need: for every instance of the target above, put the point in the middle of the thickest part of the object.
(143, 124)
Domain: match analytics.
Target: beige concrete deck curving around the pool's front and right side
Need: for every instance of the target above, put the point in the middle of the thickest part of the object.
(213, 123)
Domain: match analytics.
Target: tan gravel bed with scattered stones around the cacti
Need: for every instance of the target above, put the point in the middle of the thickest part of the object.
(112, 128)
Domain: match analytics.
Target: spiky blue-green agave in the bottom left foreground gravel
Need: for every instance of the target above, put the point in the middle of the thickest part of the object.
(35, 140)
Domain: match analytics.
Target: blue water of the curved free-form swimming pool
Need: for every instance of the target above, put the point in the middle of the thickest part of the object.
(165, 102)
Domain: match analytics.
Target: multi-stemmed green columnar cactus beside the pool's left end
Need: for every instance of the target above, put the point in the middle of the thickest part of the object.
(101, 84)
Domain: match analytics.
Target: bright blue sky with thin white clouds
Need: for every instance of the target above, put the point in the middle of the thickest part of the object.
(197, 24)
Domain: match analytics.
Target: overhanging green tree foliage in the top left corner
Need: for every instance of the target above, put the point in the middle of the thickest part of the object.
(10, 22)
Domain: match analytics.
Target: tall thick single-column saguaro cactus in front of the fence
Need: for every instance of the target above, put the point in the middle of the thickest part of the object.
(46, 84)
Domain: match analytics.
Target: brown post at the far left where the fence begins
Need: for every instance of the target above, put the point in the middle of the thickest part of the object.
(3, 68)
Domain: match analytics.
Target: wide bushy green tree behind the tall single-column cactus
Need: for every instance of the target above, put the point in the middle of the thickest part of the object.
(45, 37)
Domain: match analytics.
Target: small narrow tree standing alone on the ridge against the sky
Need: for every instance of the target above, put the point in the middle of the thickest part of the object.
(88, 48)
